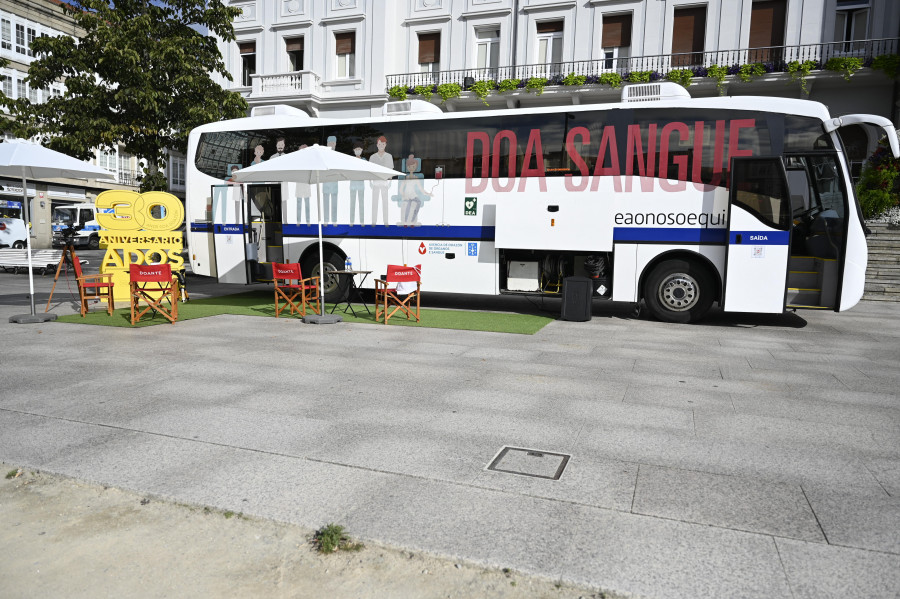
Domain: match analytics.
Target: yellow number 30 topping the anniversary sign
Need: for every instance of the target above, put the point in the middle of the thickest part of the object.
(132, 211)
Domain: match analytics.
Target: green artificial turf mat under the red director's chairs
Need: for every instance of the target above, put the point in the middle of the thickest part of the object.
(260, 303)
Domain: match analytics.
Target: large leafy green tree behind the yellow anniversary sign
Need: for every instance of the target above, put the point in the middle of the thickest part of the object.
(140, 76)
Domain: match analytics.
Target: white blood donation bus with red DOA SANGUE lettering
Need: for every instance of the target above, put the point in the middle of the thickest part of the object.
(742, 201)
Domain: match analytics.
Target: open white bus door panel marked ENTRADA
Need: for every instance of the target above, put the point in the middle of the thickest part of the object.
(229, 234)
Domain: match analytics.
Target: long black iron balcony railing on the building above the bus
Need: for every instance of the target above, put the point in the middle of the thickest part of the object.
(774, 59)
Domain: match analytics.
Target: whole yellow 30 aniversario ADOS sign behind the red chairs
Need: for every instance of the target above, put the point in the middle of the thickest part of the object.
(138, 229)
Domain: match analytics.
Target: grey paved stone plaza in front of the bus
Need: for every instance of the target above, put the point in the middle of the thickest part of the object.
(747, 456)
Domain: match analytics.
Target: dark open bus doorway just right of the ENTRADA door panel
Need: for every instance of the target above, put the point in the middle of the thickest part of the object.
(266, 236)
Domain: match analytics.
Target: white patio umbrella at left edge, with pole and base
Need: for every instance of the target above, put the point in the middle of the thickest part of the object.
(28, 160)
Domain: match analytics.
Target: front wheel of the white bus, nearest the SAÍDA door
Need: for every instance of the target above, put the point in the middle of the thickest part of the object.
(679, 291)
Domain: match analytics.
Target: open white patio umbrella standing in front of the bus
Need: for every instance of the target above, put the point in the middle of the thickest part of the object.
(315, 165)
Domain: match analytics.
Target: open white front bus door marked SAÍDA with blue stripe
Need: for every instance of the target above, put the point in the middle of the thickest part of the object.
(759, 236)
